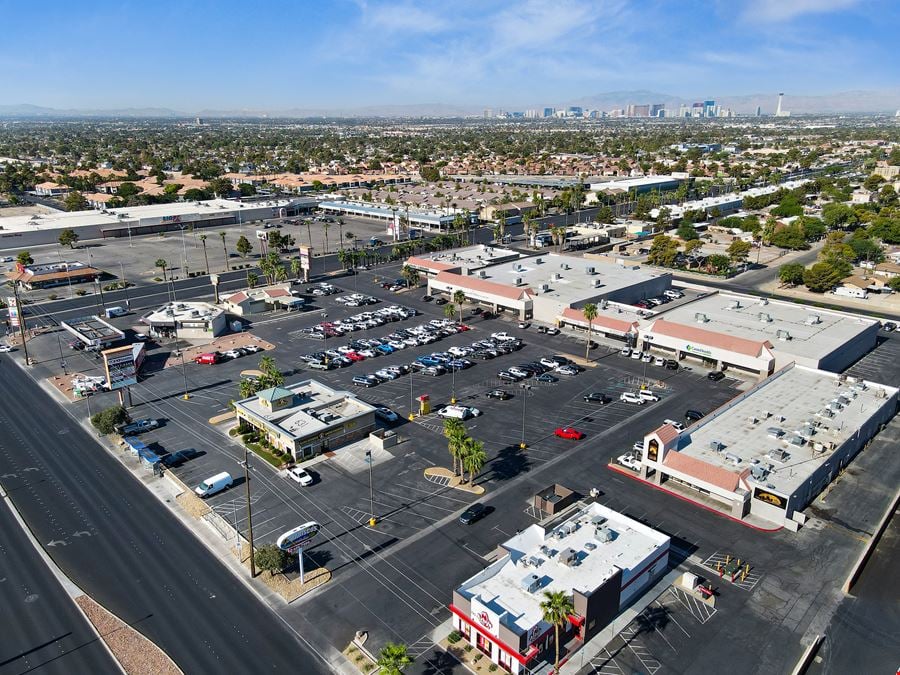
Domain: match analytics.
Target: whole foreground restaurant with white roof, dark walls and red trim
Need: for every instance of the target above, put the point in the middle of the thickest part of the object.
(600, 558)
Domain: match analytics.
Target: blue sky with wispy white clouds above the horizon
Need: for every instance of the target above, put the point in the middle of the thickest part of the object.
(276, 55)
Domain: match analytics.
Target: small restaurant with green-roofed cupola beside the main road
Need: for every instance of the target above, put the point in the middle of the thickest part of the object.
(306, 418)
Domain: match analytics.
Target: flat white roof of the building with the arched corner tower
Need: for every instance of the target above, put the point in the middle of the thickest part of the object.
(799, 411)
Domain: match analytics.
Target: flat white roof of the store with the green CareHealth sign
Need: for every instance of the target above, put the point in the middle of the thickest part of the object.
(801, 331)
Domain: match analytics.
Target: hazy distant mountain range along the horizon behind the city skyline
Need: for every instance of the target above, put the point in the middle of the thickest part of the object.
(861, 101)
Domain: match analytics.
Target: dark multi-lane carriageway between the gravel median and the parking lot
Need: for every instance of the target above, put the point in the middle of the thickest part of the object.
(114, 539)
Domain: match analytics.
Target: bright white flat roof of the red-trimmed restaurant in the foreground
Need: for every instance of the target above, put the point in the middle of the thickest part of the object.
(535, 552)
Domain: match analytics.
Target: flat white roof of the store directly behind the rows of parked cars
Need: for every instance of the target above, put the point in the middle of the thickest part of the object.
(568, 278)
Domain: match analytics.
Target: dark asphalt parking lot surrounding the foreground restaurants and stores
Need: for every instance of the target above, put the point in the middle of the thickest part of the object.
(395, 580)
